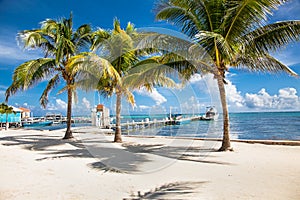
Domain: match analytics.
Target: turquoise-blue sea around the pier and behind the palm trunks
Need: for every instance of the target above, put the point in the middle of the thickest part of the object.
(254, 125)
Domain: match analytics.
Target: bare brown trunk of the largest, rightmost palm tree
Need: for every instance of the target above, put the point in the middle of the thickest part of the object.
(226, 138)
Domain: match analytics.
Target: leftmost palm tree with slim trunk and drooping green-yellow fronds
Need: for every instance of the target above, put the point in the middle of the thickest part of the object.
(59, 42)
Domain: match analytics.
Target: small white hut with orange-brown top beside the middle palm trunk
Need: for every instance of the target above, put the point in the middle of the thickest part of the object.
(100, 116)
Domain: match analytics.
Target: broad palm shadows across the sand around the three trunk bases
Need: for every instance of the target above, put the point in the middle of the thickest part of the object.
(121, 158)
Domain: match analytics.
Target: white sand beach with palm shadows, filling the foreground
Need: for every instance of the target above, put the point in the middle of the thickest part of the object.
(39, 165)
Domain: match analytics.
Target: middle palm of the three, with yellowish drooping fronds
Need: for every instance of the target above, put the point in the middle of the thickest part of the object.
(115, 63)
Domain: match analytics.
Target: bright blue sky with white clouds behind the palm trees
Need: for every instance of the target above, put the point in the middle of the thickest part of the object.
(246, 91)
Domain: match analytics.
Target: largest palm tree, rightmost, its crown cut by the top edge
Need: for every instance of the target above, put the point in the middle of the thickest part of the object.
(235, 34)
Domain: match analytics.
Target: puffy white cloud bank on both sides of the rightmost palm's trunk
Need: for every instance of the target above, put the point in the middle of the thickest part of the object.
(285, 99)
